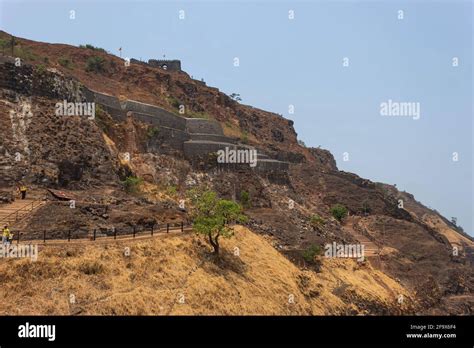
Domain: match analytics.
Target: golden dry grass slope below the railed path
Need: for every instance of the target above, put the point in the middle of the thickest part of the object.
(175, 275)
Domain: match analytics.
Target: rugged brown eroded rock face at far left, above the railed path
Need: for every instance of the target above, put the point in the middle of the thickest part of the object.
(43, 148)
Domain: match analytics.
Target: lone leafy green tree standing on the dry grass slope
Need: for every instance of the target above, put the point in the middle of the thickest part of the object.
(212, 216)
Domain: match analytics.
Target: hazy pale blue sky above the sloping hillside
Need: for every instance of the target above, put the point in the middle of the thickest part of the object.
(333, 63)
